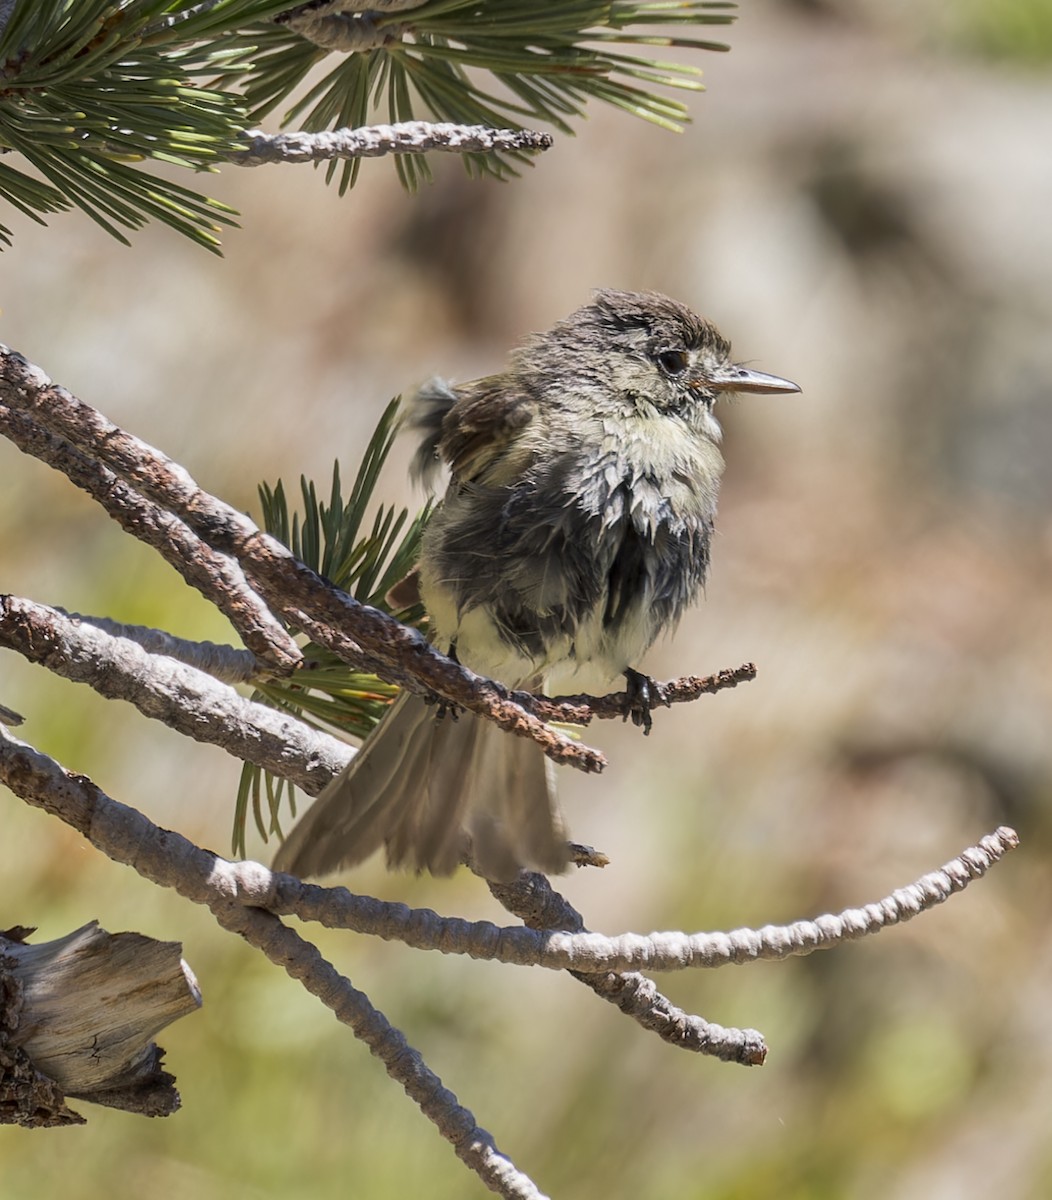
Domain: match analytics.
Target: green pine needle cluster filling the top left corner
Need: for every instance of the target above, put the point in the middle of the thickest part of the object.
(85, 99)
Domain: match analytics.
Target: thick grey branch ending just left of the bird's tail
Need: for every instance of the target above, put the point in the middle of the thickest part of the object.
(187, 700)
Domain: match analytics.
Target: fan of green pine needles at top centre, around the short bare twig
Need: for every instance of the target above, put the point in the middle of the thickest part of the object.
(545, 63)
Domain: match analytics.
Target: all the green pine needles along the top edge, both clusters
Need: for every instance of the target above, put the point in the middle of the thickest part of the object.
(95, 92)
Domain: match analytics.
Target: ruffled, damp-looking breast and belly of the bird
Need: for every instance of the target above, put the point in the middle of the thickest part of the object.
(581, 563)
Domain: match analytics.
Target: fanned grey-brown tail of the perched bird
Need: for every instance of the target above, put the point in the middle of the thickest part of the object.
(430, 790)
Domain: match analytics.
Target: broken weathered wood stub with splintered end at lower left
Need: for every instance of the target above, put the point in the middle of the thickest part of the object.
(77, 1017)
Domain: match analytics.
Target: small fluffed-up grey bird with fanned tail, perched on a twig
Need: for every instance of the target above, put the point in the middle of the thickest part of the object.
(574, 531)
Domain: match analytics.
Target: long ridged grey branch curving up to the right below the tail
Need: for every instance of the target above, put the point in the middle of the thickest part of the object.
(169, 859)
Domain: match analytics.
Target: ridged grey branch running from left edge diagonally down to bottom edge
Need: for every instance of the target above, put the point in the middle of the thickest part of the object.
(172, 861)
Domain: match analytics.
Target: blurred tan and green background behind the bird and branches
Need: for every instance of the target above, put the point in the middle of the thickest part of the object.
(863, 206)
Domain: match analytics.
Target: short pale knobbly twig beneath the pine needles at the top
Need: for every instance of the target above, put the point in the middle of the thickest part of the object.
(376, 141)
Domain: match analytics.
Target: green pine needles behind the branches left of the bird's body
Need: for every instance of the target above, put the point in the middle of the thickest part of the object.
(365, 556)
